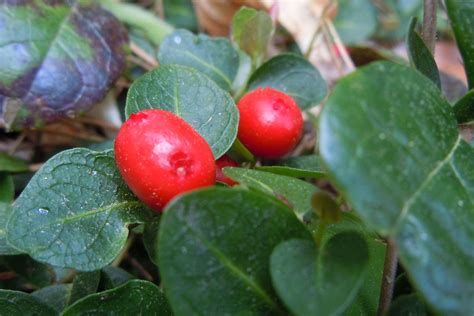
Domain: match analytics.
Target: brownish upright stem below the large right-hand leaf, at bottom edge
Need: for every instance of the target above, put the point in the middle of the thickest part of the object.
(388, 277)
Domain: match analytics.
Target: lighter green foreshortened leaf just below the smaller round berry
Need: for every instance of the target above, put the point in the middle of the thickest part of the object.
(297, 192)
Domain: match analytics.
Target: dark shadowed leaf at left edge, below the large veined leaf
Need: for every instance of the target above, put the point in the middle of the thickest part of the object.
(35, 273)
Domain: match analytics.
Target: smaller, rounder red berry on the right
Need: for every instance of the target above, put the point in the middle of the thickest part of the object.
(271, 122)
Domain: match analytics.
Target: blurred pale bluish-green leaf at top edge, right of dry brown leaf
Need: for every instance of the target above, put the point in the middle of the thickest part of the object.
(356, 20)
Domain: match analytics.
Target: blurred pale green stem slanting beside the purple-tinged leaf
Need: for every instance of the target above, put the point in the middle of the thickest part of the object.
(154, 27)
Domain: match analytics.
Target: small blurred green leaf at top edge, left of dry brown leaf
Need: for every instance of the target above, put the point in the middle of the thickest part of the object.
(180, 13)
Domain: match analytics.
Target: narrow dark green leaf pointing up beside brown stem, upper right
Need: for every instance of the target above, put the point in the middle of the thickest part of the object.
(420, 56)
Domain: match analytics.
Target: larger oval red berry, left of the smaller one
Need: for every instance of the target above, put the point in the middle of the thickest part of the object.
(160, 156)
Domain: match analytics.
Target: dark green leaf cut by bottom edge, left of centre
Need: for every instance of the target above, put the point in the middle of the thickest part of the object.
(136, 297)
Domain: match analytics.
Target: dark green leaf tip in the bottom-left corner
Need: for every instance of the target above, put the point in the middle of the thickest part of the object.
(19, 303)
